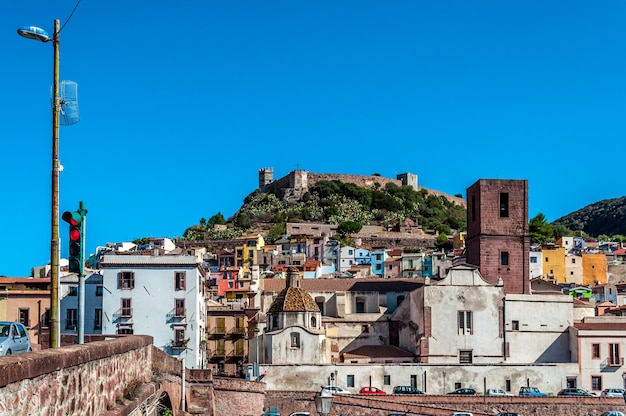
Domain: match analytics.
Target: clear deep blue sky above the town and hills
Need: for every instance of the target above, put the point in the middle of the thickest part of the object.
(182, 102)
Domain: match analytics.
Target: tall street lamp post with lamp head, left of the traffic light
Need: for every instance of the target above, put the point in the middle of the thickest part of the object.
(36, 33)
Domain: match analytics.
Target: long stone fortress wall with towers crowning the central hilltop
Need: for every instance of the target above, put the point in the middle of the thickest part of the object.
(298, 182)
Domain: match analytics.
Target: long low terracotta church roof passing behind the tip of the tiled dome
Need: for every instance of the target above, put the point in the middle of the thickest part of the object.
(375, 284)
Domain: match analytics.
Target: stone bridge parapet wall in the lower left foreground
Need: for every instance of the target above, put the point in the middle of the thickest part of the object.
(88, 379)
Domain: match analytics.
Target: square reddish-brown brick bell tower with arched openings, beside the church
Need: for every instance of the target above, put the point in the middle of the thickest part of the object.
(498, 240)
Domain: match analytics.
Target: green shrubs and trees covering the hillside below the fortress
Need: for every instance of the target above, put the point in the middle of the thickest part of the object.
(338, 203)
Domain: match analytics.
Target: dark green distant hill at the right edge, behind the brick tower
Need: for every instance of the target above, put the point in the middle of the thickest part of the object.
(606, 217)
